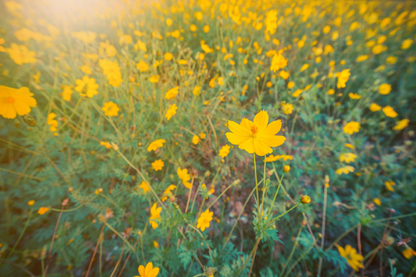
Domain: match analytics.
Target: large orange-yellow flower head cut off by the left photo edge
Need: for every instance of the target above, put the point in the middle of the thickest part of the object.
(15, 101)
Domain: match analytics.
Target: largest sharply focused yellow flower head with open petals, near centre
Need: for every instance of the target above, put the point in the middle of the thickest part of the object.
(256, 136)
